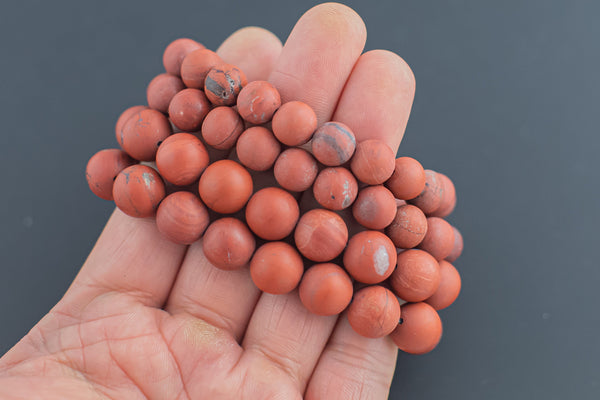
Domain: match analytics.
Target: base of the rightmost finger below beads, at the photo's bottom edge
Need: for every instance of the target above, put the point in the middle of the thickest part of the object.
(353, 367)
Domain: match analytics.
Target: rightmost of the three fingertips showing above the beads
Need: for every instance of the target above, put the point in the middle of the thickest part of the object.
(377, 99)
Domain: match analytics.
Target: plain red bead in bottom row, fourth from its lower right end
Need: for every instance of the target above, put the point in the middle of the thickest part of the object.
(276, 268)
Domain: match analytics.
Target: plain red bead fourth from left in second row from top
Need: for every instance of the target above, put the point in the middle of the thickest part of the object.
(257, 148)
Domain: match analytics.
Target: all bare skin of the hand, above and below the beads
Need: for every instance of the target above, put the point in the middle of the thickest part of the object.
(146, 318)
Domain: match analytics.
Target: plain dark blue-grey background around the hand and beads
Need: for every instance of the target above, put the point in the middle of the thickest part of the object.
(507, 104)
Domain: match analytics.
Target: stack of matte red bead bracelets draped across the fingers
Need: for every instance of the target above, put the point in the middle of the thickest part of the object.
(217, 158)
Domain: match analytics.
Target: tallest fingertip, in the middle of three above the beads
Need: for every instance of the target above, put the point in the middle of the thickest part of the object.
(318, 57)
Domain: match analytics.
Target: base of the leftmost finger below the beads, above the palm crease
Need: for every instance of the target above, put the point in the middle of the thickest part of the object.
(130, 257)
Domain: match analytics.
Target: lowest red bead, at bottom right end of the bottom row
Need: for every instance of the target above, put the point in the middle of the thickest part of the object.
(420, 329)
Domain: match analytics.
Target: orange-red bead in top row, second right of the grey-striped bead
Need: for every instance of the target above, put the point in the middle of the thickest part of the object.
(408, 179)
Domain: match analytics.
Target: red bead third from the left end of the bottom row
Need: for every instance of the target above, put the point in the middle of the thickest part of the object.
(182, 218)
